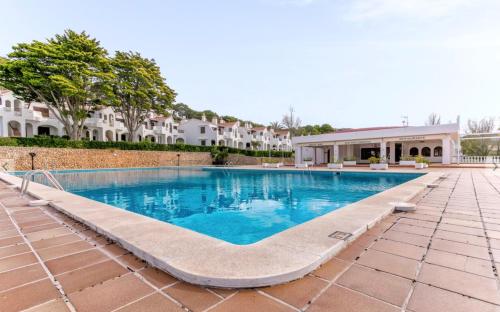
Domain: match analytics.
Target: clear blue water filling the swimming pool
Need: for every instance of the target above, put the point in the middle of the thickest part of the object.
(240, 207)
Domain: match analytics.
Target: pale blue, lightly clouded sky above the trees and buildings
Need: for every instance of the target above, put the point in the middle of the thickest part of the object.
(349, 63)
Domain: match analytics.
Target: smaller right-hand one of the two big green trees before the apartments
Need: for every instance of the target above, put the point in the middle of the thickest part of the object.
(139, 90)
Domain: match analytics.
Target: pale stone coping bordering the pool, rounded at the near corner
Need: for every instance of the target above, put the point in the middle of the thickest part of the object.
(204, 260)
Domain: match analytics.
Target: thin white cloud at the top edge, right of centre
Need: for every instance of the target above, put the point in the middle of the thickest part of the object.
(372, 9)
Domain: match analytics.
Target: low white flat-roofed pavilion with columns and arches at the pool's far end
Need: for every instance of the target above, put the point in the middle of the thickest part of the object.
(439, 144)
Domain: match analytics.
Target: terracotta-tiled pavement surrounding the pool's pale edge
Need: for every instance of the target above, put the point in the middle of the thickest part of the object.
(443, 257)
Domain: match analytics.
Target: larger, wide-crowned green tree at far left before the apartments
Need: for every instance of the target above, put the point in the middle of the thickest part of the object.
(70, 73)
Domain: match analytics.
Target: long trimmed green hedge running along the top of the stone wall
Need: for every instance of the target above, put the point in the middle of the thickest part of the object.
(49, 141)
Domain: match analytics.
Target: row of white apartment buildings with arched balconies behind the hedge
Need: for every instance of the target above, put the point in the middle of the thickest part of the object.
(21, 119)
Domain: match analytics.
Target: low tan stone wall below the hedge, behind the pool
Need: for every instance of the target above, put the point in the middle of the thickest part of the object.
(17, 158)
